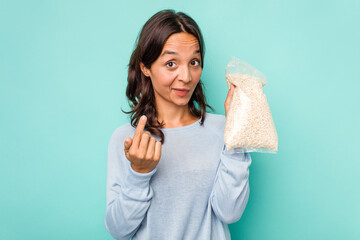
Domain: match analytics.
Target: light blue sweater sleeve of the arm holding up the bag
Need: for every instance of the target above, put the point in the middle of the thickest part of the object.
(230, 192)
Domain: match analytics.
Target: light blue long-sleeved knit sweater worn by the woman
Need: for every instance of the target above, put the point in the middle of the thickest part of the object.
(193, 193)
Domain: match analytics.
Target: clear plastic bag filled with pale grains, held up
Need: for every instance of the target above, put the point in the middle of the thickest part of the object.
(249, 126)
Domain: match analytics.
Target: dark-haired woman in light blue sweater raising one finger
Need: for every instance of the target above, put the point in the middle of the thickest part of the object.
(169, 174)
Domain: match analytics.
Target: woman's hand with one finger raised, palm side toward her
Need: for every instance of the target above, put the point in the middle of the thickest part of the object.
(143, 151)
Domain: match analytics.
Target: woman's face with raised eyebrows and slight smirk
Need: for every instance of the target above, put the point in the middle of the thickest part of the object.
(177, 71)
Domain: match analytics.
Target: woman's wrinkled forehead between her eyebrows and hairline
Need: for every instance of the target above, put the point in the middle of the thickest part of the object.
(181, 41)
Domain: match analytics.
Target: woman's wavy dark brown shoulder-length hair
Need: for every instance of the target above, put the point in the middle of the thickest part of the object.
(149, 46)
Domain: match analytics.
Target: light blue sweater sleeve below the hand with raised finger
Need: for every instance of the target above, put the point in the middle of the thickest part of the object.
(128, 193)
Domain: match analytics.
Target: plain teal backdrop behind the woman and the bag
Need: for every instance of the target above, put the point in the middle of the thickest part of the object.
(63, 69)
